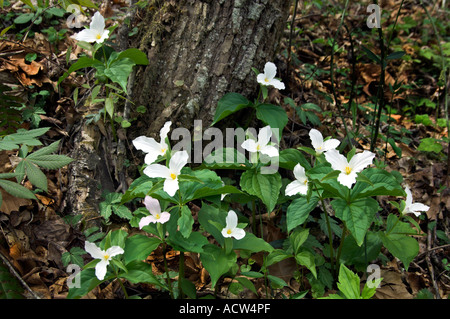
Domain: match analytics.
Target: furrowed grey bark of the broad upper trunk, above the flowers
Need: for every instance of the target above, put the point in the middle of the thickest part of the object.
(205, 49)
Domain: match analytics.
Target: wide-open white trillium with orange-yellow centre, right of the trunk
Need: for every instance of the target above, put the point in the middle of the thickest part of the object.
(349, 170)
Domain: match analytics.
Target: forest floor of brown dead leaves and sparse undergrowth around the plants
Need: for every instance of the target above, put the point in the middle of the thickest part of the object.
(413, 136)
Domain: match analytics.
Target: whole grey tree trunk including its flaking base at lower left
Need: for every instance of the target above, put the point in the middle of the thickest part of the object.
(198, 51)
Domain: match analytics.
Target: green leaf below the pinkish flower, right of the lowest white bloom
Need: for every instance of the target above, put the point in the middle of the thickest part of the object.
(139, 247)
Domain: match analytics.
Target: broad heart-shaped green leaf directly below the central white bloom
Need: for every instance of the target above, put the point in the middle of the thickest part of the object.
(265, 186)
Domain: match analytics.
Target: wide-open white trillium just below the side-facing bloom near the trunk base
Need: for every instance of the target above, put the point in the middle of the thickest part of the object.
(176, 163)
